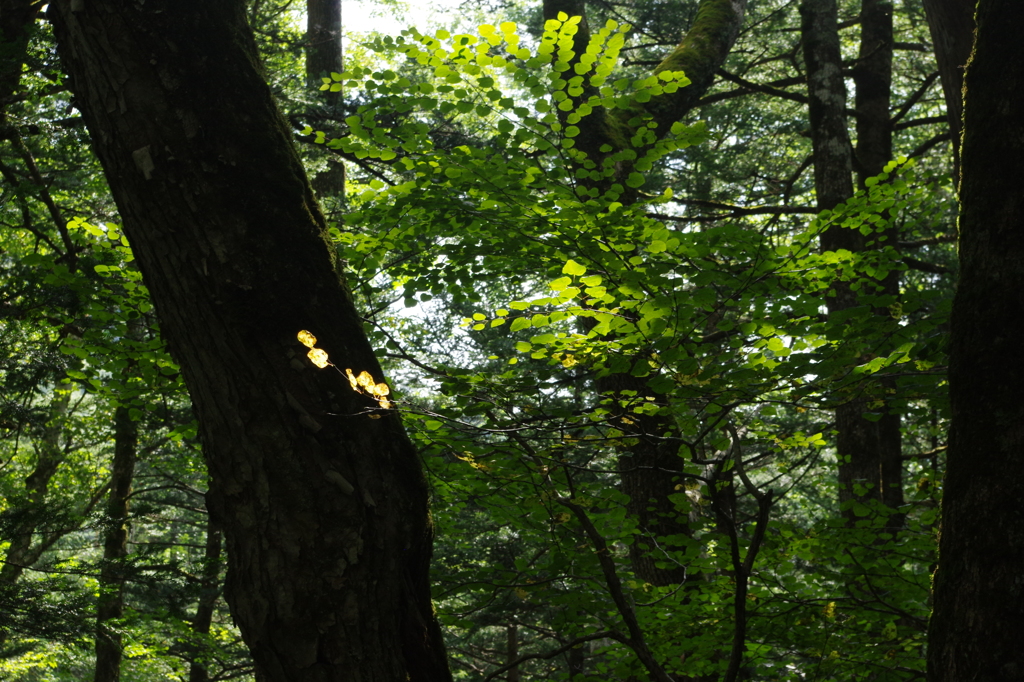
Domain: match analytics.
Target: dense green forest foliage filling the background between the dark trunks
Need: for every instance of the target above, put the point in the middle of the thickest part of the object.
(540, 310)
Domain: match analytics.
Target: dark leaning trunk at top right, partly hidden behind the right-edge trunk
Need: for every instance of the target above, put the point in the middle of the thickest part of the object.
(952, 26)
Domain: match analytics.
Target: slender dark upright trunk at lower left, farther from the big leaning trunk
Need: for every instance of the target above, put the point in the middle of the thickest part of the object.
(110, 606)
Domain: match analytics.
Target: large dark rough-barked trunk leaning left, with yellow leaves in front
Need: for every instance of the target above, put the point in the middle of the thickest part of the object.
(324, 507)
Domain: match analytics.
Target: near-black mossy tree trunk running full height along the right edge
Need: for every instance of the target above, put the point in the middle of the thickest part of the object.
(975, 632)
